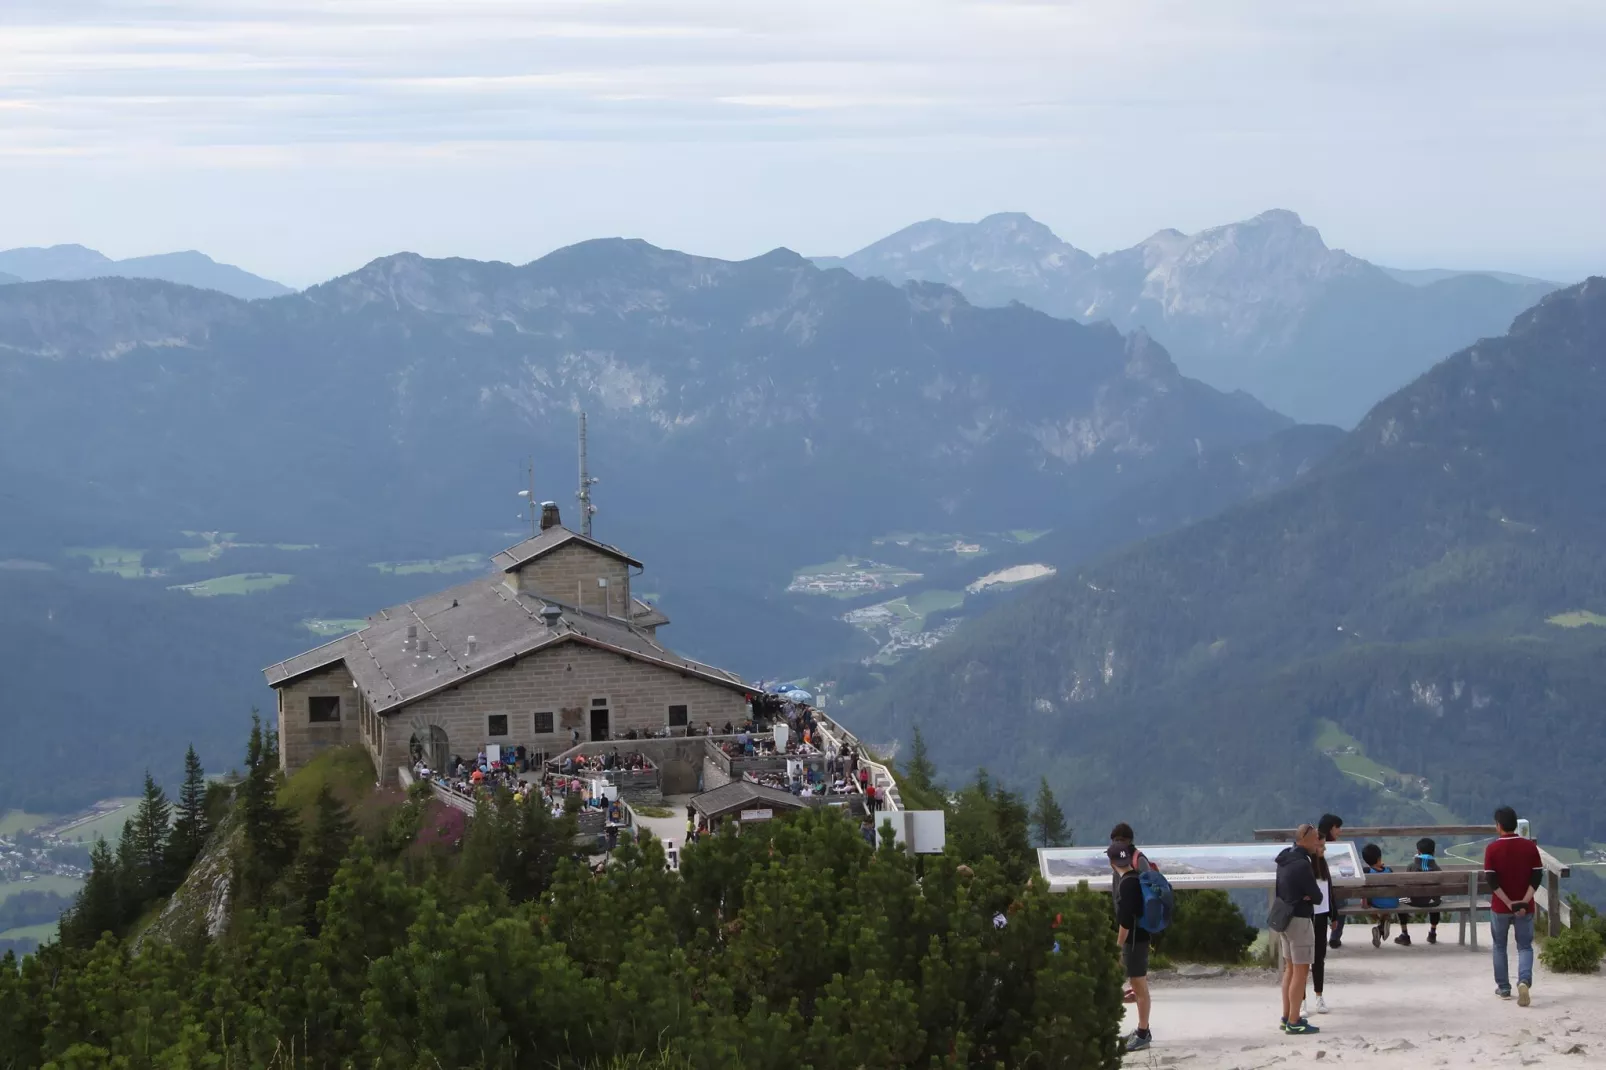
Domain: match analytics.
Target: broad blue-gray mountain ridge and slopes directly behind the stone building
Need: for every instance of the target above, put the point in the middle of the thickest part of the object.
(748, 419)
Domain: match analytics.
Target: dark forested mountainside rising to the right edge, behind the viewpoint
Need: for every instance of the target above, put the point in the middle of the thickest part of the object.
(1424, 603)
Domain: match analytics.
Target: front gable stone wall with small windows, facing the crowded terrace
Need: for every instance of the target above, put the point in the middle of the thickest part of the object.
(566, 682)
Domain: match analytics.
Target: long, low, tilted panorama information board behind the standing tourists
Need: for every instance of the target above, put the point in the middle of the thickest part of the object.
(1196, 865)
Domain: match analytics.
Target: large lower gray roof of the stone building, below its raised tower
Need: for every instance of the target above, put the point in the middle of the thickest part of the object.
(503, 624)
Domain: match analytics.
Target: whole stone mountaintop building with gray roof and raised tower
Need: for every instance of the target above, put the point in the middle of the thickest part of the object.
(547, 650)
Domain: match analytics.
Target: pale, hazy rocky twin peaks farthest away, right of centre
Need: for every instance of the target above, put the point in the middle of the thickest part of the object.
(1263, 306)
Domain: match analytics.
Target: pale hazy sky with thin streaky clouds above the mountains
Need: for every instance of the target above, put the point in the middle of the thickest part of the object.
(301, 139)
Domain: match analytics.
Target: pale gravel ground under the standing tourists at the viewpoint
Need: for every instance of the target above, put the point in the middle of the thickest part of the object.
(1421, 1007)
